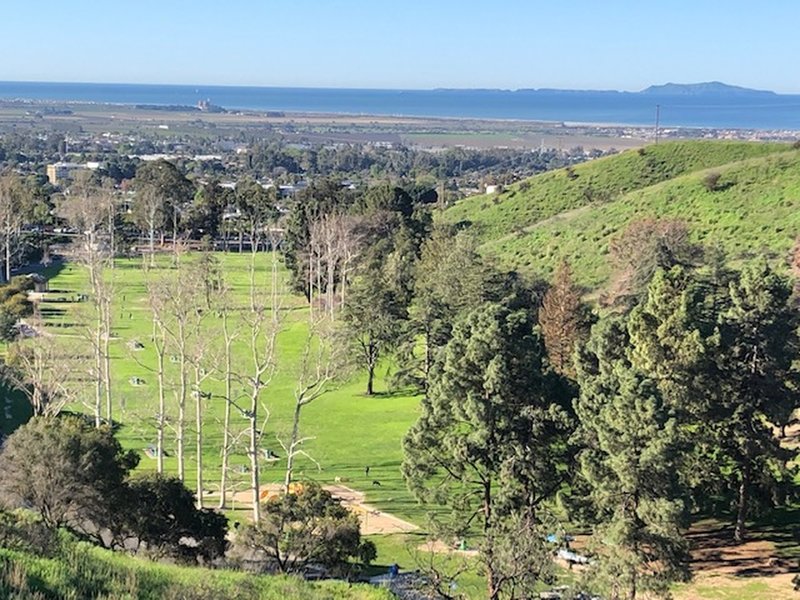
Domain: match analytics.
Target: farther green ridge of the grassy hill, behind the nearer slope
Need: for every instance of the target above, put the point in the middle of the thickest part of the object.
(597, 182)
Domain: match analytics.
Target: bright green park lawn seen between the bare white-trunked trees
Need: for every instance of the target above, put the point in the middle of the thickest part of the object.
(348, 430)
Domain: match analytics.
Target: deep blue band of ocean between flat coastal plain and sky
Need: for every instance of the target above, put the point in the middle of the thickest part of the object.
(725, 111)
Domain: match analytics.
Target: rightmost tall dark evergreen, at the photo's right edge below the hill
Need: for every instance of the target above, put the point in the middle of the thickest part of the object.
(757, 384)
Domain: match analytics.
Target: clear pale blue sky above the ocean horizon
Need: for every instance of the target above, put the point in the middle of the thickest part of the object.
(597, 44)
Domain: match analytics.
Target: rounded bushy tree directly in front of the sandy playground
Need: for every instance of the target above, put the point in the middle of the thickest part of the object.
(309, 527)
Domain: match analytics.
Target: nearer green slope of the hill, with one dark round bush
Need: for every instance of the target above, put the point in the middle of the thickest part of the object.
(758, 211)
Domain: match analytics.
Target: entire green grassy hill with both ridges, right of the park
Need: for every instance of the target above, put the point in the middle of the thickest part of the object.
(537, 223)
